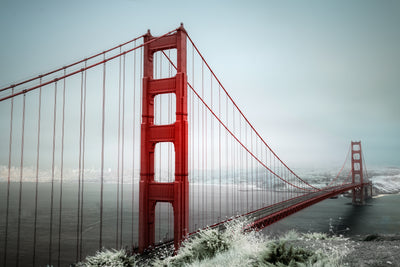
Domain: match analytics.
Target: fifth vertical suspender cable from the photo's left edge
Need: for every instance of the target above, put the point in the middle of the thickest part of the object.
(61, 175)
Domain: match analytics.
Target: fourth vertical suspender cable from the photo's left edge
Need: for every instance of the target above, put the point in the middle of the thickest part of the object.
(52, 173)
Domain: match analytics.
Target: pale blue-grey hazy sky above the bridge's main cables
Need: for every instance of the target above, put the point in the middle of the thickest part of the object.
(310, 75)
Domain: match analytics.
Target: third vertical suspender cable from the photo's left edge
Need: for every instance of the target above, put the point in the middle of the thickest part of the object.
(37, 176)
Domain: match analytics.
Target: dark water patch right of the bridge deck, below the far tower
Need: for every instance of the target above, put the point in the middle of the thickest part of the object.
(381, 214)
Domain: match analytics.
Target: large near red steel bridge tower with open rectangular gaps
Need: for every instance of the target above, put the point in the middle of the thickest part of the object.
(151, 192)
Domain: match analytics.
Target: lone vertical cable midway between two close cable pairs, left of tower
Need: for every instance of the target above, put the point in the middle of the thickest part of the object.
(102, 155)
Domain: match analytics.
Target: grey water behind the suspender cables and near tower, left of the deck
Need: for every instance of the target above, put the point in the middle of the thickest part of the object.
(58, 237)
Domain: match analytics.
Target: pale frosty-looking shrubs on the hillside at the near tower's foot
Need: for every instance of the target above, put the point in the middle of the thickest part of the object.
(235, 247)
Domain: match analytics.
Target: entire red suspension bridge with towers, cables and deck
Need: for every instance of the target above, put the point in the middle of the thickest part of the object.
(135, 146)
